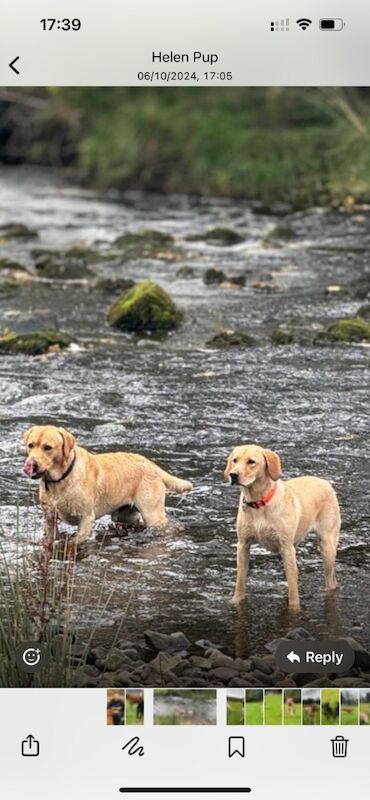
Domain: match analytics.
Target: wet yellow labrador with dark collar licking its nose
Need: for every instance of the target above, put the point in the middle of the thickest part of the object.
(79, 487)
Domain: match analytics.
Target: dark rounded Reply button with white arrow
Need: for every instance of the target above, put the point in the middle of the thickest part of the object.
(321, 655)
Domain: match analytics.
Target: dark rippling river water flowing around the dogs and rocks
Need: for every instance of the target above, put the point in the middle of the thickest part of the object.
(186, 405)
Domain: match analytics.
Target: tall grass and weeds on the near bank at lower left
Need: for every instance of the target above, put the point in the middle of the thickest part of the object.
(38, 595)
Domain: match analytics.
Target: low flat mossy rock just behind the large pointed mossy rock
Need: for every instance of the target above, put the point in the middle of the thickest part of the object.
(146, 244)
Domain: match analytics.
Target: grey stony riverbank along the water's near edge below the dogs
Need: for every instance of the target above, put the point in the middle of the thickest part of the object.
(161, 660)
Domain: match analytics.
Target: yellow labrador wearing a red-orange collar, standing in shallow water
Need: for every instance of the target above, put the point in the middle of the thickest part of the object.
(278, 515)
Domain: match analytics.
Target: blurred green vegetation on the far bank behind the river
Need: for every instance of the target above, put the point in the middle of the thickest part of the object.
(301, 146)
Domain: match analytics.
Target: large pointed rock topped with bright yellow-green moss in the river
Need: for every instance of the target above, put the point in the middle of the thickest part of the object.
(145, 307)
